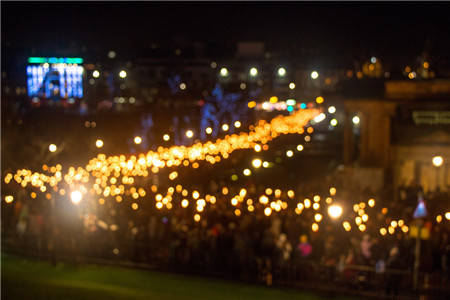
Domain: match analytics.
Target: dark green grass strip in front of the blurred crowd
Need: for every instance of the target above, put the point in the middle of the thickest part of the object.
(24, 278)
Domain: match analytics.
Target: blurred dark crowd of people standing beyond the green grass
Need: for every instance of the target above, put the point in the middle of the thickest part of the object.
(281, 248)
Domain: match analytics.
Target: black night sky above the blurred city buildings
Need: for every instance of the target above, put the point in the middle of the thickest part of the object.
(394, 31)
